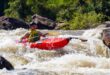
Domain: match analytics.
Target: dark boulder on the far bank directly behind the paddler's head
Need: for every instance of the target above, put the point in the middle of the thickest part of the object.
(43, 22)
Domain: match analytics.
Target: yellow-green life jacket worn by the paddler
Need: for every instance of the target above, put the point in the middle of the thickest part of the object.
(34, 36)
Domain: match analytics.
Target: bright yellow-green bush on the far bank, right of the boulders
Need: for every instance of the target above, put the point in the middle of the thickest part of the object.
(84, 21)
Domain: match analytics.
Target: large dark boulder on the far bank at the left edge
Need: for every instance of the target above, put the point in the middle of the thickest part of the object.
(8, 23)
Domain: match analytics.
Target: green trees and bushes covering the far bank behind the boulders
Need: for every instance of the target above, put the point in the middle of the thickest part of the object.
(77, 14)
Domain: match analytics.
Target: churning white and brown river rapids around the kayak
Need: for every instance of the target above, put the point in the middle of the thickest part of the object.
(76, 58)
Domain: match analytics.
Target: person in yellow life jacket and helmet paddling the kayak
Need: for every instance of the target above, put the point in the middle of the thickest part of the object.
(34, 35)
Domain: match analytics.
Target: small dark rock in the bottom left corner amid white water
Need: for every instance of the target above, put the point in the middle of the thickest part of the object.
(5, 64)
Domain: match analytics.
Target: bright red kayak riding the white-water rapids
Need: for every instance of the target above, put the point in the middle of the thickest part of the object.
(50, 43)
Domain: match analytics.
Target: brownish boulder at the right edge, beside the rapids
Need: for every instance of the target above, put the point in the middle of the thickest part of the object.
(106, 37)
